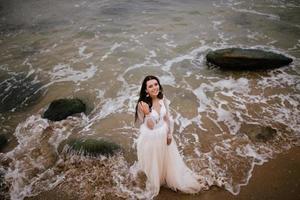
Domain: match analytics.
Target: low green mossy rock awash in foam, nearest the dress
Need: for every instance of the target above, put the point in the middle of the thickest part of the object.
(93, 147)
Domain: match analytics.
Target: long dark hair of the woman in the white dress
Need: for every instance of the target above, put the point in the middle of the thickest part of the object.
(143, 94)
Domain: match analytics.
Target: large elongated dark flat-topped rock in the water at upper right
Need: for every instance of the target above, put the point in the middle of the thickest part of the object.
(246, 59)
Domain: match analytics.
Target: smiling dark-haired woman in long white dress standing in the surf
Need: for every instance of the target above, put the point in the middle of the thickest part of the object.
(158, 156)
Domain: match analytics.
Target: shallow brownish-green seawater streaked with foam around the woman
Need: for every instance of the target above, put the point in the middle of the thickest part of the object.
(100, 51)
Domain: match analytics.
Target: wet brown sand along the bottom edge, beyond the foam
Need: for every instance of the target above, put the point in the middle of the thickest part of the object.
(275, 180)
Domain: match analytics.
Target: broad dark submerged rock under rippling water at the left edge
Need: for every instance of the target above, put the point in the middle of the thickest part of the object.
(19, 91)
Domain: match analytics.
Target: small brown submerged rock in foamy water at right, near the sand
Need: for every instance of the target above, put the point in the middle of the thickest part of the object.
(257, 133)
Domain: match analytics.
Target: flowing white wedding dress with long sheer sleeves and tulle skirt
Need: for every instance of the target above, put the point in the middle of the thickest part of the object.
(162, 163)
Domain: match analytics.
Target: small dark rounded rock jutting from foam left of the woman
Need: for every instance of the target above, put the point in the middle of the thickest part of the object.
(62, 108)
